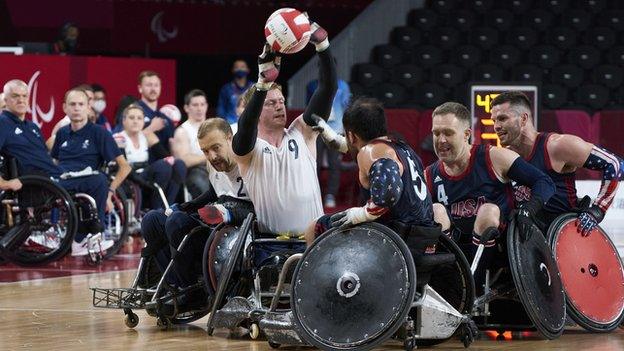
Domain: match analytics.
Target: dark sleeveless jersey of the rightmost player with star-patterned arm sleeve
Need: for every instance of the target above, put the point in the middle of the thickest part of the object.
(564, 199)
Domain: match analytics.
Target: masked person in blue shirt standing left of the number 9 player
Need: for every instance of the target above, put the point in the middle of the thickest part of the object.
(230, 92)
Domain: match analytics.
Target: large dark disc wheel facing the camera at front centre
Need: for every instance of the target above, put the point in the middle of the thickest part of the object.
(353, 288)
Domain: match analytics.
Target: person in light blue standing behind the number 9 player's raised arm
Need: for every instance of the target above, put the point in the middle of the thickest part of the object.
(334, 158)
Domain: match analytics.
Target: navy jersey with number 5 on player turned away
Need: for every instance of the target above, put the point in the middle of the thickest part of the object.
(414, 206)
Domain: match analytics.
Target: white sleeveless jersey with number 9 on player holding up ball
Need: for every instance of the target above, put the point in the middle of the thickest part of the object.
(283, 185)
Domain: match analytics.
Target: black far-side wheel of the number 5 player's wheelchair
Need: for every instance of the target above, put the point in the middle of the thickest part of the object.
(454, 282)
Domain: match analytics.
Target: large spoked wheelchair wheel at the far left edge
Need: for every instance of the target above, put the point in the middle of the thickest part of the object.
(39, 222)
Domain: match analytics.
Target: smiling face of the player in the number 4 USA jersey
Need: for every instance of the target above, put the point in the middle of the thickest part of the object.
(450, 135)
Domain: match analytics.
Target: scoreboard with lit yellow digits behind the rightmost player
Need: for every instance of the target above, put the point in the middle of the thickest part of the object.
(480, 98)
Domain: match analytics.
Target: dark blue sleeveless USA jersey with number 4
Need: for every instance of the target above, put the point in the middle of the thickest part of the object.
(464, 194)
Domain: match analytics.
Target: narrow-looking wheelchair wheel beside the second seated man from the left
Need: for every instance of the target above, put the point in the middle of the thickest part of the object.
(116, 223)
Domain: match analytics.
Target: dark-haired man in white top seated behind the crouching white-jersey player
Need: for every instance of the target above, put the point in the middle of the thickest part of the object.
(186, 146)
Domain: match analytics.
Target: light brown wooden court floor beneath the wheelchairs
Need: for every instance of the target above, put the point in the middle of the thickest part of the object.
(56, 314)
